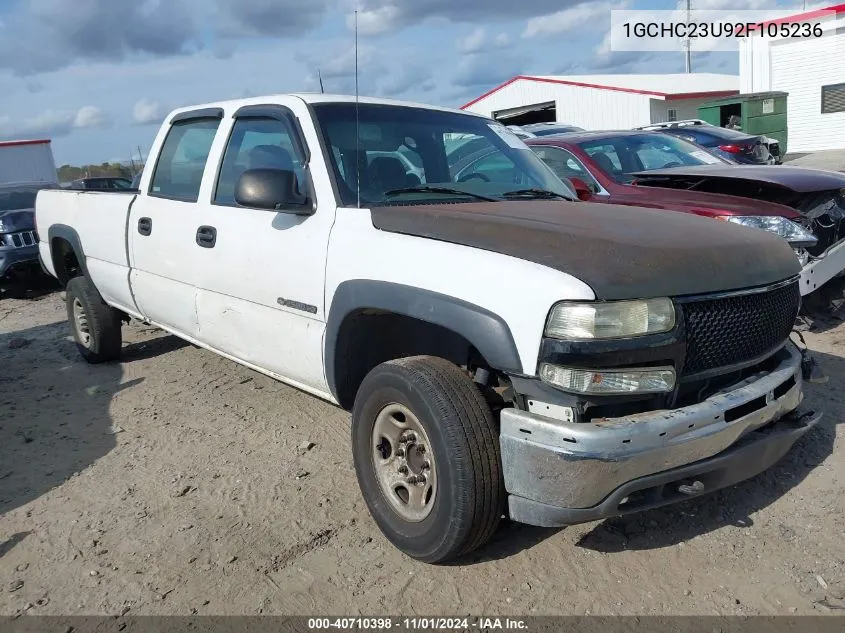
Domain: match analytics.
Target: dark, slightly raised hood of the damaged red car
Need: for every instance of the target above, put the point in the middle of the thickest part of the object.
(797, 179)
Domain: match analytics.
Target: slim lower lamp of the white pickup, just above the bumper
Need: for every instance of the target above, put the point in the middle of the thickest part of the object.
(609, 381)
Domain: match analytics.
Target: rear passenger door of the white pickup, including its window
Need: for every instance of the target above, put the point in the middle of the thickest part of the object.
(163, 223)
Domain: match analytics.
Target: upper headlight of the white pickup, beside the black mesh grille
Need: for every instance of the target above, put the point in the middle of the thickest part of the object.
(614, 319)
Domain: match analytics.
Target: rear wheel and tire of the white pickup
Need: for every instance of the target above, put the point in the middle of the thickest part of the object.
(96, 326)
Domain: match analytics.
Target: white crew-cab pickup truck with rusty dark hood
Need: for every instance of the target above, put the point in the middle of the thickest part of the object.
(505, 350)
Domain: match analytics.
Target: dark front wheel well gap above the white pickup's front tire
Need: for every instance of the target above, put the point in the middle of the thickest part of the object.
(370, 337)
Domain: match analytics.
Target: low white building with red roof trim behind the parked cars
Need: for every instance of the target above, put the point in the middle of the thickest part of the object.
(601, 102)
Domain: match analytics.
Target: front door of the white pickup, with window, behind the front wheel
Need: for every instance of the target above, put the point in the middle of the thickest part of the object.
(262, 272)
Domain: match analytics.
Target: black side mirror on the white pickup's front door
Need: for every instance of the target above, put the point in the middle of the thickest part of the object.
(272, 189)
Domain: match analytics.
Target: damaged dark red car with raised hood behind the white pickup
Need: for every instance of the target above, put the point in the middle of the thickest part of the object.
(650, 169)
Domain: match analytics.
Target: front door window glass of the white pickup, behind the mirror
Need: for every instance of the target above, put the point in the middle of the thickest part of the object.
(256, 143)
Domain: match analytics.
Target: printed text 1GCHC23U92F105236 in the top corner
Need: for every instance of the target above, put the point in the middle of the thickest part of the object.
(683, 30)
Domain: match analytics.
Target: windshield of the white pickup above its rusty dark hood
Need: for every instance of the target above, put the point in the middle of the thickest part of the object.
(406, 155)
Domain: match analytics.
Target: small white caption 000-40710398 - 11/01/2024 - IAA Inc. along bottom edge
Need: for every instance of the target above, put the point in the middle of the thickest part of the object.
(417, 624)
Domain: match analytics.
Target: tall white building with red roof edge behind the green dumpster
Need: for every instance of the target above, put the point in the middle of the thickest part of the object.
(811, 70)
